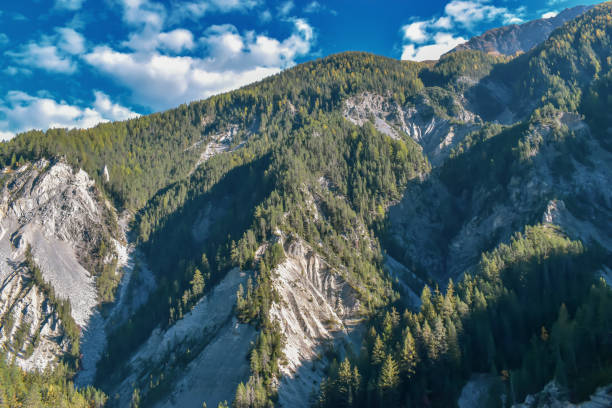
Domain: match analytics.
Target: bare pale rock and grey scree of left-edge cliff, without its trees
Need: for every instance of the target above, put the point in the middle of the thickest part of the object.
(55, 211)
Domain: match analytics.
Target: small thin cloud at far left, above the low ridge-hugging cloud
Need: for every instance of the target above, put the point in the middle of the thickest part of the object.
(47, 57)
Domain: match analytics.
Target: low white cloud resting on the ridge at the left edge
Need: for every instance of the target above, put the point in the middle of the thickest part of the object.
(24, 112)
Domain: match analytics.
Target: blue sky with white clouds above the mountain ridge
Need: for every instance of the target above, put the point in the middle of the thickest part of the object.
(75, 63)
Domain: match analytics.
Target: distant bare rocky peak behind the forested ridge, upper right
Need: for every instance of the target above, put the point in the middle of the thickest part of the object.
(515, 38)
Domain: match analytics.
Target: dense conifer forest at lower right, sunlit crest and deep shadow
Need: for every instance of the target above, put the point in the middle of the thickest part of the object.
(524, 314)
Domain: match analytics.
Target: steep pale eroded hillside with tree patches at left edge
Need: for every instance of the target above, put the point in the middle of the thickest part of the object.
(59, 248)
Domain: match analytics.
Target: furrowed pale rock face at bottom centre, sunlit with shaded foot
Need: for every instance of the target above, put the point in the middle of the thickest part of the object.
(317, 307)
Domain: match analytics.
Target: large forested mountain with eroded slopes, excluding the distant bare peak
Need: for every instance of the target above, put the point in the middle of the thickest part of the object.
(354, 231)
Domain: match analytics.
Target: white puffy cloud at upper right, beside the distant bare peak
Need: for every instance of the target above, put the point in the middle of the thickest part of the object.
(429, 39)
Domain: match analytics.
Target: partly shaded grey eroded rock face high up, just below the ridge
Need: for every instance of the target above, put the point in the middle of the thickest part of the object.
(437, 134)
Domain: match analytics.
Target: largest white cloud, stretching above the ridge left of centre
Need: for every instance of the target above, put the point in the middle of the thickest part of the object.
(232, 60)
